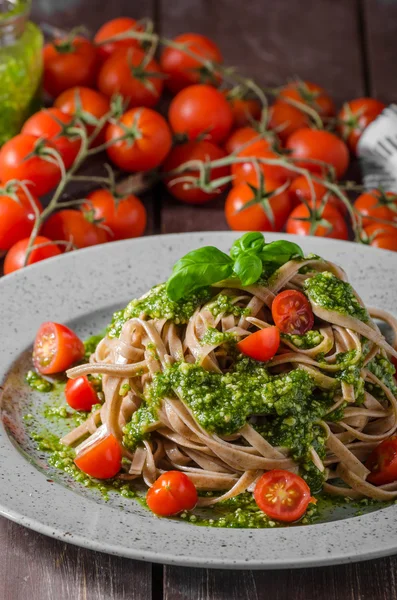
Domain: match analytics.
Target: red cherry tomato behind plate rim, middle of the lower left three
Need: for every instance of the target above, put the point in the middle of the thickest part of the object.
(72, 226)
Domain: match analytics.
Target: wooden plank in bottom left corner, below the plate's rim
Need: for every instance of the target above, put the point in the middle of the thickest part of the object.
(36, 567)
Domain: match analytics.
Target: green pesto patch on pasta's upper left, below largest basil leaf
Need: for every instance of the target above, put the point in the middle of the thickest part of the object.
(157, 305)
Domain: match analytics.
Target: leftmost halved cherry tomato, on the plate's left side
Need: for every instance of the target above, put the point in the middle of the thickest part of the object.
(56, 348)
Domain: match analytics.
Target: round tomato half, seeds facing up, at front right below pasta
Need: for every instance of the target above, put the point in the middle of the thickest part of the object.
(282, 495)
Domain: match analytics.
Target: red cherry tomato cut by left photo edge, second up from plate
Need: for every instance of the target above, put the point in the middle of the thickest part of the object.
(16, 215)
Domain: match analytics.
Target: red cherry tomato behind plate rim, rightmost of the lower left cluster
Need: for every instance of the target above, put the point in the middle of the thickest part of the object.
(124, 216)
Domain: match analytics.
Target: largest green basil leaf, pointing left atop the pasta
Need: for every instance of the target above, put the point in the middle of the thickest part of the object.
(196, 270)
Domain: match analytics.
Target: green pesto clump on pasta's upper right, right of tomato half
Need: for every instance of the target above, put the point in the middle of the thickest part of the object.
(329, 292)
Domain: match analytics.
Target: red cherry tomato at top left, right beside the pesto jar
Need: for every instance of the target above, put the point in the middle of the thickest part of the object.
(68, 63)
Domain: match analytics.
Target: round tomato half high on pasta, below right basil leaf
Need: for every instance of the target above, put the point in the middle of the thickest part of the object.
(292, 313)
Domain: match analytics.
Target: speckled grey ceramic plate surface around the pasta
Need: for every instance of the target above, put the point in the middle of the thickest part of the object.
(82, 289)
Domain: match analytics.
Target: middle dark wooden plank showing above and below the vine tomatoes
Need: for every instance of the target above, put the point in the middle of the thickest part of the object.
(271, 42)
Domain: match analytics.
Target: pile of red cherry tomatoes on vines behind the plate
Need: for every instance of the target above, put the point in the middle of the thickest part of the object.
(111, 88)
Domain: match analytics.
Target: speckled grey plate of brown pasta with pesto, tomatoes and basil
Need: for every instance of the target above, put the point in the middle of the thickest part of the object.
(204, 400)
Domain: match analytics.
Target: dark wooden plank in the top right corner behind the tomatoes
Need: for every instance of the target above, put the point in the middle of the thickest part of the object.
(380, 36)
